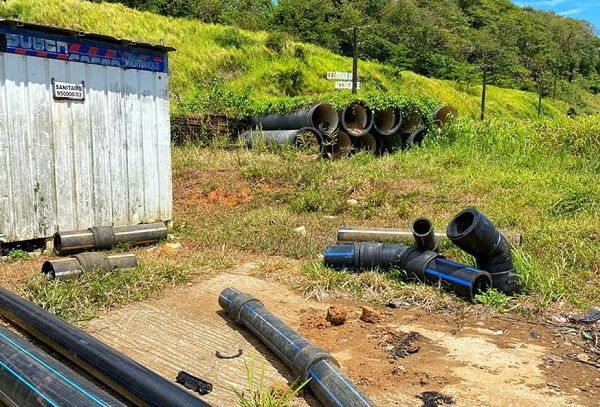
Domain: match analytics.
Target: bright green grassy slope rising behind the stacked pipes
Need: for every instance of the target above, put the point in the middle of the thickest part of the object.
(226, 70)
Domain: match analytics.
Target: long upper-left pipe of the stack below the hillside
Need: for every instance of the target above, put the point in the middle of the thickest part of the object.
(321, 116)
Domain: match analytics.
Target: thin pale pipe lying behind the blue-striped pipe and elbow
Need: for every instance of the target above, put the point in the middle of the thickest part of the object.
(391, 235)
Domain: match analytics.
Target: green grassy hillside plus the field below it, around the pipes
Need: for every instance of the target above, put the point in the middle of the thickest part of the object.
(537, 177)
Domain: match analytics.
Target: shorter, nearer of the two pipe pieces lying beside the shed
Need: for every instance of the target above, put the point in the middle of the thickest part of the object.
(73, 267)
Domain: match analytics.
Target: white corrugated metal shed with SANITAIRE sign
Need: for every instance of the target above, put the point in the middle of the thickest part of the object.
(84, 131)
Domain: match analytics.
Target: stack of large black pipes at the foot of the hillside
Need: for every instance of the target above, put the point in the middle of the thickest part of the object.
(325, 132)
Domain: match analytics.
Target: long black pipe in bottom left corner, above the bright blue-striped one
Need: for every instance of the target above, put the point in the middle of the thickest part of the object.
(128, 378)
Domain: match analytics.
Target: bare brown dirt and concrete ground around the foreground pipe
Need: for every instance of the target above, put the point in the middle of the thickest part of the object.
(471, 359)
